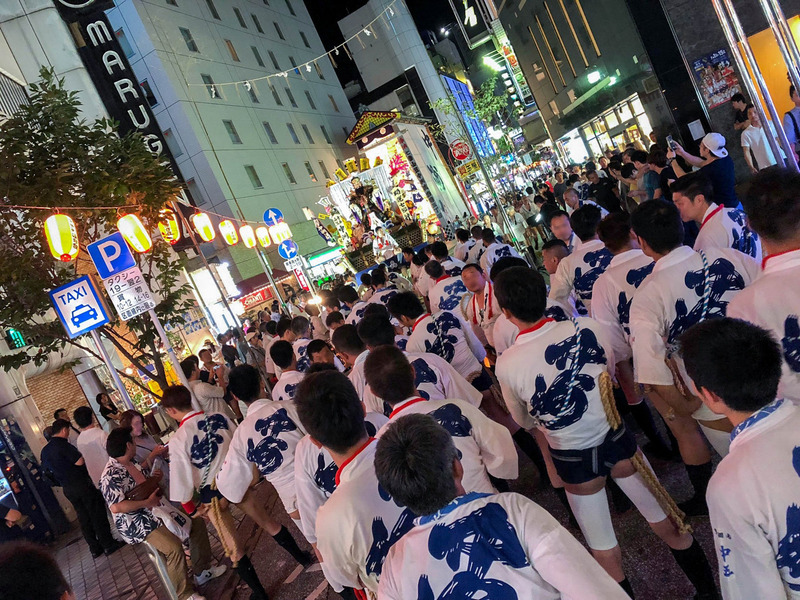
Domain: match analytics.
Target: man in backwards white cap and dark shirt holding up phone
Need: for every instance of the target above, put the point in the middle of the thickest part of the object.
(714, 163)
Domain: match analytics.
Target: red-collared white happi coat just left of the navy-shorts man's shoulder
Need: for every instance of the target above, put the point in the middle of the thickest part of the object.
(445, 335)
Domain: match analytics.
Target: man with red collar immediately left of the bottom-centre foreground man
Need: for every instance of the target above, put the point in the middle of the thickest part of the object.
(360, 521)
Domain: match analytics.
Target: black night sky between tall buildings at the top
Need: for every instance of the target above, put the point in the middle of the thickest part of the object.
(428, 14)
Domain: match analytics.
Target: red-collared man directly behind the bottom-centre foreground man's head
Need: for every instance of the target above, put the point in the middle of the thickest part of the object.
(485, 447)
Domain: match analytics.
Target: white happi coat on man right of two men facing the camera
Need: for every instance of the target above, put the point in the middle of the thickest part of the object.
(577, 273)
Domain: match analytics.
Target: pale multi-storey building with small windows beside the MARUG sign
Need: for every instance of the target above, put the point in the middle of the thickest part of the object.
(241, 148)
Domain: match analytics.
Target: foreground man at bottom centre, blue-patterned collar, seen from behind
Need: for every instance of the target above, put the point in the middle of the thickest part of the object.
(471, 544)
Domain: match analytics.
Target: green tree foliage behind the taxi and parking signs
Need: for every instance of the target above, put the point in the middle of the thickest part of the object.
(50, 156)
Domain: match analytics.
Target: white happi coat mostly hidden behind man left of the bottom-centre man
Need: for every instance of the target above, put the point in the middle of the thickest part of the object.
(315, 476)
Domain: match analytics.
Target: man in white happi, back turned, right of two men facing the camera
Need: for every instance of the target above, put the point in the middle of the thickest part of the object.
(577, 273)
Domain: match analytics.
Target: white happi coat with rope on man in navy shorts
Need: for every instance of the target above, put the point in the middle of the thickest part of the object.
(535, 375)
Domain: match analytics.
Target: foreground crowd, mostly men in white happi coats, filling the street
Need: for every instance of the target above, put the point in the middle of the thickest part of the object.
(389, 419)
